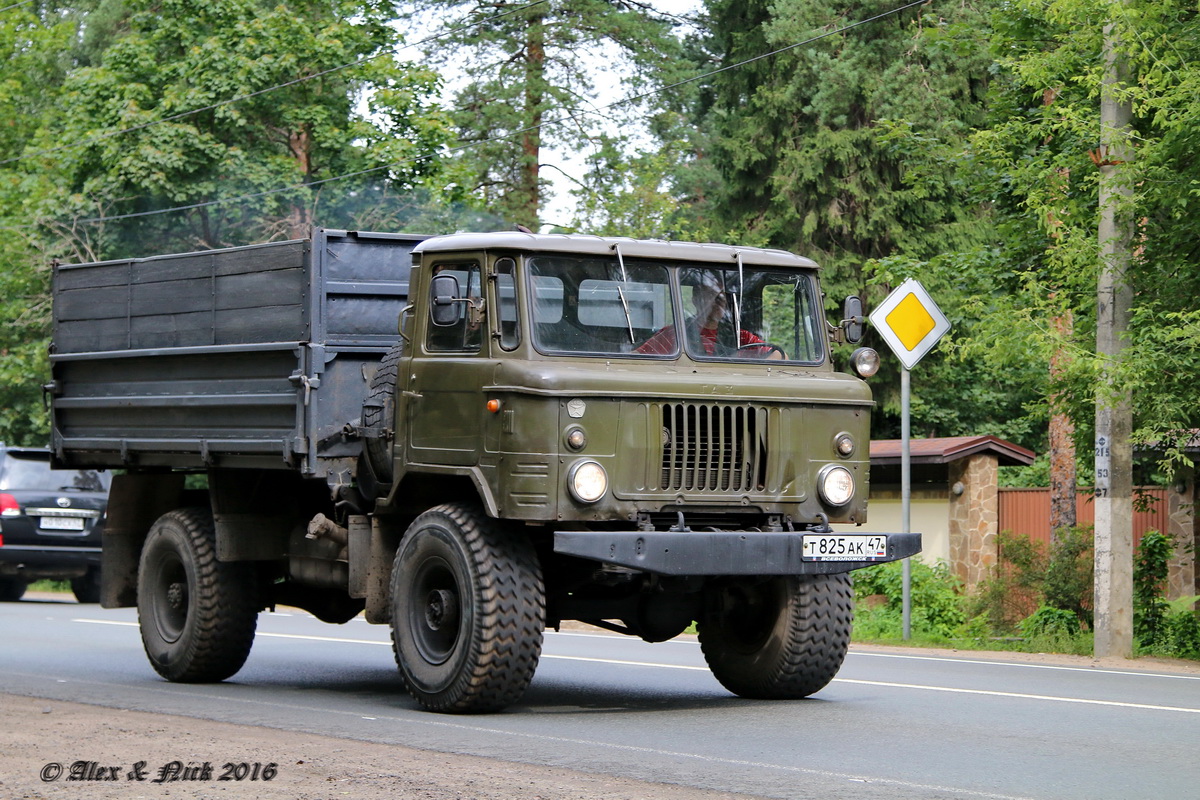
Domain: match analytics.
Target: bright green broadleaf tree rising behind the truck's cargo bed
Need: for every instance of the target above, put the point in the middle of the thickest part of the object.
(172, 58)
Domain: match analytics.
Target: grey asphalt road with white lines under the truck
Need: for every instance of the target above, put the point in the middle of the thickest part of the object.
(891, 725)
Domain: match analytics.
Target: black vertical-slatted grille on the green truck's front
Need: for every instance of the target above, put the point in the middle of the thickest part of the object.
(713, 448)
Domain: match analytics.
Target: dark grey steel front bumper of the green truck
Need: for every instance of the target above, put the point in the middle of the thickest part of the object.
(711, 554)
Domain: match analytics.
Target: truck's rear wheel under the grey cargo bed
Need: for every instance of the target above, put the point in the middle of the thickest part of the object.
(197, 615)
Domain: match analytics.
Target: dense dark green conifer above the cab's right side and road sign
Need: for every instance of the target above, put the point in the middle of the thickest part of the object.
(845, 149)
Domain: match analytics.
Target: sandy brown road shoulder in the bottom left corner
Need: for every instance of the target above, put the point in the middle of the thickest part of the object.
(38, 735)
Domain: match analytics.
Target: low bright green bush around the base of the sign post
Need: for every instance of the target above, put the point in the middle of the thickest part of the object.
(937, 603)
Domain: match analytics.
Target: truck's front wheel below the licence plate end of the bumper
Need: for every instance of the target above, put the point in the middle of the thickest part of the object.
(783, 639)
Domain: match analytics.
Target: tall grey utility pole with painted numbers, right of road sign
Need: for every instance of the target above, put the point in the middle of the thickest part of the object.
(1114, 411)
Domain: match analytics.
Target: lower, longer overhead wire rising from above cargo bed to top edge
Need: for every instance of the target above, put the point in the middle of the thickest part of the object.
(513, 135)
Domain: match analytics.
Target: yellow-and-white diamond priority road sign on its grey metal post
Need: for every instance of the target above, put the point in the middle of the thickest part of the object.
(911, 323)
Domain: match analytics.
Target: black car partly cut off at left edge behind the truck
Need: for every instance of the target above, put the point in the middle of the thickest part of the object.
(51, 522)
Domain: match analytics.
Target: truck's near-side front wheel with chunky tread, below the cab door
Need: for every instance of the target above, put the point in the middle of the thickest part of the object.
(469, 611)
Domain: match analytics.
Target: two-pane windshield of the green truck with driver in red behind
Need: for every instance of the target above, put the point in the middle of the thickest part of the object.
(599, 306)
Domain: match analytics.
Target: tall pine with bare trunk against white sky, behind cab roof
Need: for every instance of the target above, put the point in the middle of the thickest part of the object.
(529, 79)
